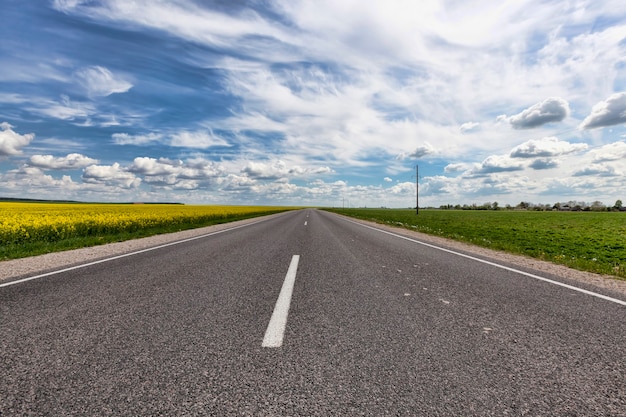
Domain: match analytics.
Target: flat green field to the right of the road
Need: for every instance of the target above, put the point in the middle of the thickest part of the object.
(588, 241)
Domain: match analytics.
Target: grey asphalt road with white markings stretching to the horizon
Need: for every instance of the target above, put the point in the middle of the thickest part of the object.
(377, 326)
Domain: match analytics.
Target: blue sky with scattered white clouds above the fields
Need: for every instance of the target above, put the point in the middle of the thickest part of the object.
(295, 102)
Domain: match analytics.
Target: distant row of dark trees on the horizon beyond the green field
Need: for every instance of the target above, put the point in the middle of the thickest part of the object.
(524, 205)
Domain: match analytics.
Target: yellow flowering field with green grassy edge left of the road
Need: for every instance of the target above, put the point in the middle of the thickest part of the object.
(33, 228)
